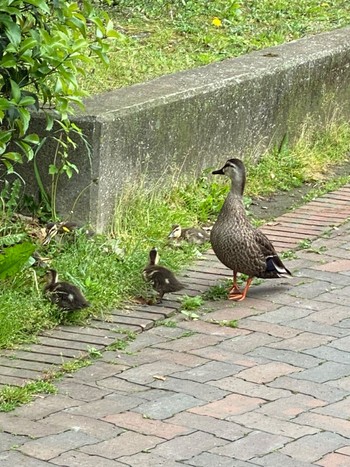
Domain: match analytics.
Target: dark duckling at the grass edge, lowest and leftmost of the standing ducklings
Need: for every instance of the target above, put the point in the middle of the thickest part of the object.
(67, 296)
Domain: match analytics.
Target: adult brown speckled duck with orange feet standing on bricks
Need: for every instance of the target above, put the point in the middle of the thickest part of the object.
(236, 243)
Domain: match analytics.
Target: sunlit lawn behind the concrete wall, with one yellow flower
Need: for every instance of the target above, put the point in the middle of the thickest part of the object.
(158, 37)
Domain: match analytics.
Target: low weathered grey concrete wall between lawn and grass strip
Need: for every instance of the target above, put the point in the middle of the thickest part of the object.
(198, 118)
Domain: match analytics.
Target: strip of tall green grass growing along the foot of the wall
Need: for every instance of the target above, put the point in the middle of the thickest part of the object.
(108, 268)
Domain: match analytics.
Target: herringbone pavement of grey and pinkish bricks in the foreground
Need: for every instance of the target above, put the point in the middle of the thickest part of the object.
(273, 392)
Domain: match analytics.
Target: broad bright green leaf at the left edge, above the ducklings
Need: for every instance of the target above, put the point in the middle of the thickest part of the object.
(13, 259)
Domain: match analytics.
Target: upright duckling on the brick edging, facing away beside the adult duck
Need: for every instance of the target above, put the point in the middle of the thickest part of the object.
(163, 280)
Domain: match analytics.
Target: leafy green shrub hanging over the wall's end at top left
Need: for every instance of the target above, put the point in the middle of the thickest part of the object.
(44, 47)
